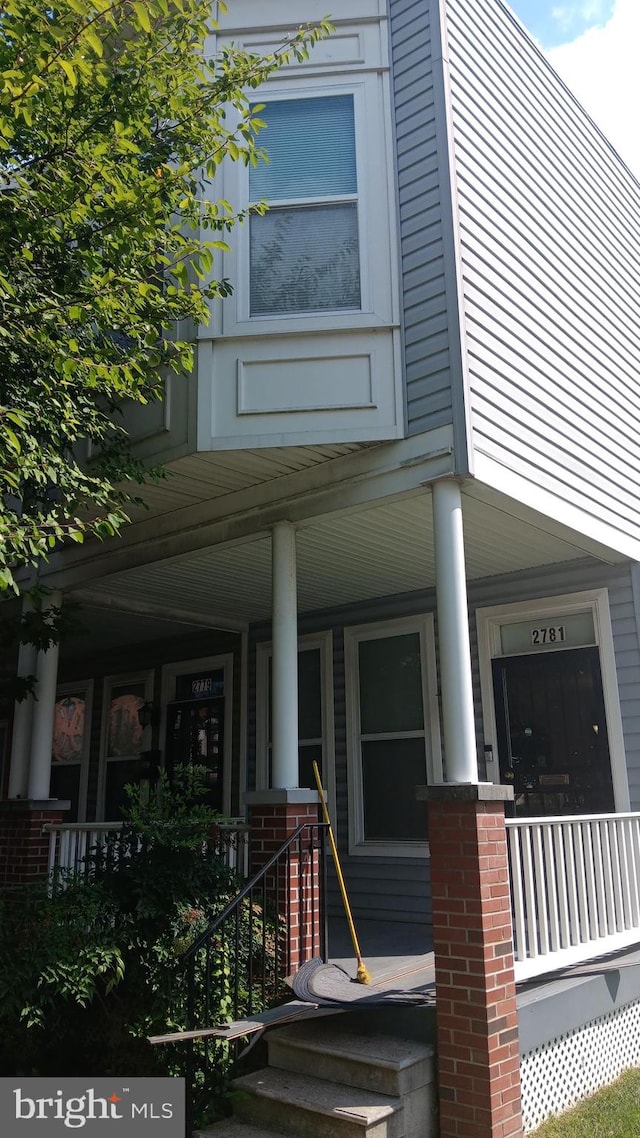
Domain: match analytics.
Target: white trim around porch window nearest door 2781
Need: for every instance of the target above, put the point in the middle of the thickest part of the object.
(423, 625)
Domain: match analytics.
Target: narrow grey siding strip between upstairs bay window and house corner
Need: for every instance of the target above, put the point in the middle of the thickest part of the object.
(426, 325)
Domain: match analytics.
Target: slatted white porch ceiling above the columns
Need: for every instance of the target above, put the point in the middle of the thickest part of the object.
(343, 558)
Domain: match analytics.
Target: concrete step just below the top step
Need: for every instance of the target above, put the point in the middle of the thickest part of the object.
(309, 1108)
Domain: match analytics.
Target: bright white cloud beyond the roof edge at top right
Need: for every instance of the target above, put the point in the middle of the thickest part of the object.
(602, 68)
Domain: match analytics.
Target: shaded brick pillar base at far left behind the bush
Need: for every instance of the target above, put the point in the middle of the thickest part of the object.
(24, 848)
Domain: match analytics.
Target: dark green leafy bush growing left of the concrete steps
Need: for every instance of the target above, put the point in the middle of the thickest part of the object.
(93, 969)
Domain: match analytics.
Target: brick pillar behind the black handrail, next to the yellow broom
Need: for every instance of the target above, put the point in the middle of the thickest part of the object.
(296, 886)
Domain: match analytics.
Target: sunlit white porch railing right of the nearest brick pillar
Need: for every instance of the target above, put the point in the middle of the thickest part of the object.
(576, 889)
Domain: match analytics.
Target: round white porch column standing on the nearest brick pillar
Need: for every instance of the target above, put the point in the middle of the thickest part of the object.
(454, 634)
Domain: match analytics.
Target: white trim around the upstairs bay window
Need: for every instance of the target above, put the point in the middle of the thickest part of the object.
(376, 220)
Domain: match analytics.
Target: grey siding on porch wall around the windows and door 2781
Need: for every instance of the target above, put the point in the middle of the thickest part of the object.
(399, 888)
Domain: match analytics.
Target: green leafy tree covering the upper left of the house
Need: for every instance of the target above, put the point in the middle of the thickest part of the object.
(113, 125)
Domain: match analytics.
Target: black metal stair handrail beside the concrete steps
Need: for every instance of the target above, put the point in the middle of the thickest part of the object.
(236, 968)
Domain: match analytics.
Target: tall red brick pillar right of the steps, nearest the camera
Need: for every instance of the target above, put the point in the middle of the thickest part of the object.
(478, 1024)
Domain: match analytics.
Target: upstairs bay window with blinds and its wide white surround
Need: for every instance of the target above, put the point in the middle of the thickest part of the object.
(324, 257)
